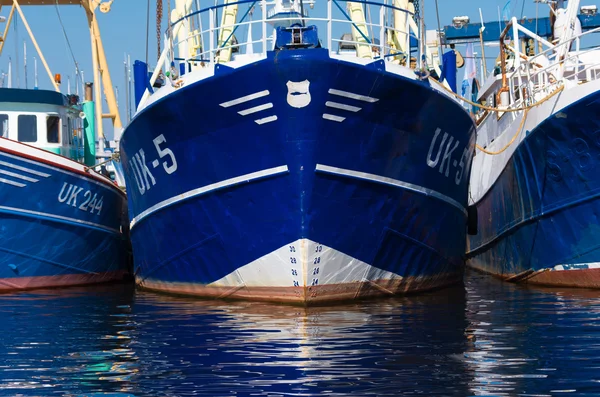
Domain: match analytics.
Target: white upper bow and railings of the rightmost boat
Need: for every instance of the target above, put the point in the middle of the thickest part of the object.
(524, 89)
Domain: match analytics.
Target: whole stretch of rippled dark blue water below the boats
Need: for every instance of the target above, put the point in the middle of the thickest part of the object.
(112, 341)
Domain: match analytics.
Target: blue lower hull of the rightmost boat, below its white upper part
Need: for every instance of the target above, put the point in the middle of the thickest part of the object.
(539, 222)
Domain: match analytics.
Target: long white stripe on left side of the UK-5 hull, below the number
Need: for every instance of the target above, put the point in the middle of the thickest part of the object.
(208, 188)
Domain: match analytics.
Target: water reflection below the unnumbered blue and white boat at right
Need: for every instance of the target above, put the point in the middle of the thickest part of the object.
(531, 340)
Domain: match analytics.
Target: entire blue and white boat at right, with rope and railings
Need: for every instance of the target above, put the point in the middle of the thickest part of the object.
(535, 177)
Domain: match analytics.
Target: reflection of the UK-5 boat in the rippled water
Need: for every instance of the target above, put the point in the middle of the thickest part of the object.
(399, 346)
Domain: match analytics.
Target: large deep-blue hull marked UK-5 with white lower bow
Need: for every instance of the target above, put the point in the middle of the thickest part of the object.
(299, 178)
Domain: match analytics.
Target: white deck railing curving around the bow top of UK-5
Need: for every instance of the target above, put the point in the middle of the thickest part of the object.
(385, 40)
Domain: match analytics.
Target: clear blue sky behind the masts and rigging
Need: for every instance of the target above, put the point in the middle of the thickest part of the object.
(124, 32)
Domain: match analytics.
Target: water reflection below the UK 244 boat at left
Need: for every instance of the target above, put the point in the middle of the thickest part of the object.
(68, 342)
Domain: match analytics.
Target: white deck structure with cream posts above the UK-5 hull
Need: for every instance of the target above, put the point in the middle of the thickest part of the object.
(238, 33)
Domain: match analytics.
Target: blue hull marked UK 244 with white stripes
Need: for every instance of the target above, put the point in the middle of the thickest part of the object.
(60, 226)
